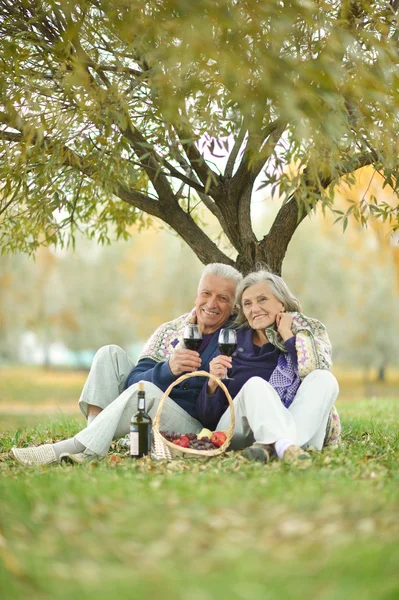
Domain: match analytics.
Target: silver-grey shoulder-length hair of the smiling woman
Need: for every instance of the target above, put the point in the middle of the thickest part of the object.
(277, 286)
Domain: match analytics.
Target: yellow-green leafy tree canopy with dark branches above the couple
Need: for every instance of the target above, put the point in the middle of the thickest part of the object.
(116, 111)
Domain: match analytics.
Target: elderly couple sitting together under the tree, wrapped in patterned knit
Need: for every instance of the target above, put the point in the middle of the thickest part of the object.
(281, 383)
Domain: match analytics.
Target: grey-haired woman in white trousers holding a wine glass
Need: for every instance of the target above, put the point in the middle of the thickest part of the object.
(283, 390)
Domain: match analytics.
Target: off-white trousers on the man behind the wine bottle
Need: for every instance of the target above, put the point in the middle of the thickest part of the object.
(105, 387)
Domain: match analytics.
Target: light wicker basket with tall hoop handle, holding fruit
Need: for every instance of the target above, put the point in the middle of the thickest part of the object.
(163, 449)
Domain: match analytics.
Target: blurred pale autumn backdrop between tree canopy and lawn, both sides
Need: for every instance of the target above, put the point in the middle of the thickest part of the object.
(59, 307)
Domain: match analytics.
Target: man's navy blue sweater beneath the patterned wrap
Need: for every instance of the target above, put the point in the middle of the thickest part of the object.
(185, 393)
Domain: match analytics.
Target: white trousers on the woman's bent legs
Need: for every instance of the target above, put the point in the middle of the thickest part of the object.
(261, 416)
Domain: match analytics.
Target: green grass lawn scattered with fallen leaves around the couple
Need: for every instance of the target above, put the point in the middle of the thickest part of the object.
(189, 530)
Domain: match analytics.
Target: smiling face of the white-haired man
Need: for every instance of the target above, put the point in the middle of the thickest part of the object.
(214, 302)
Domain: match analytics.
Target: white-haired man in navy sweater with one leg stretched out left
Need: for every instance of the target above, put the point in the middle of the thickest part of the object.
(109, 397)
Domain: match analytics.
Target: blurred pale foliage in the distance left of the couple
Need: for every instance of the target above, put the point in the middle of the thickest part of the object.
(93, 295)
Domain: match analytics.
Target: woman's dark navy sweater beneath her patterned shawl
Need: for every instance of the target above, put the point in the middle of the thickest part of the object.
(249, 361)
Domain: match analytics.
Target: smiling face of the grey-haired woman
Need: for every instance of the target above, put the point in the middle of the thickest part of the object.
(260, 306)
